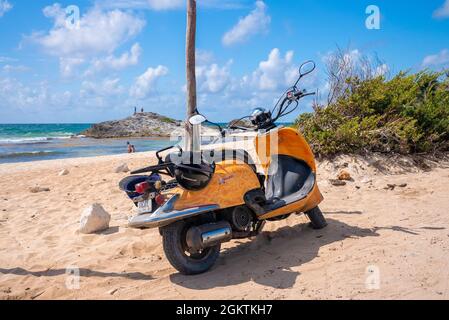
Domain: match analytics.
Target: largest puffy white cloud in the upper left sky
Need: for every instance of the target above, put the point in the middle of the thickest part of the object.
(98, 33)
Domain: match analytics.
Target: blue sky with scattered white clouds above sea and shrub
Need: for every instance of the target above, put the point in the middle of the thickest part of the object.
(128, 53)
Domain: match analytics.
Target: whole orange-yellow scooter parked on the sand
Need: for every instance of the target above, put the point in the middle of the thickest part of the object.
(220, 195)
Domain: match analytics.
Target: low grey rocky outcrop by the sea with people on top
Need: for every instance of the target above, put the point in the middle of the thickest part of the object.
(146, 124)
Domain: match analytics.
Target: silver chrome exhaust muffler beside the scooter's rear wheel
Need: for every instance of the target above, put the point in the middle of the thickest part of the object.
(209, 235)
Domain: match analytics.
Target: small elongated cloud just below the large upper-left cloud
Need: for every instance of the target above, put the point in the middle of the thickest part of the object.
(111, 62)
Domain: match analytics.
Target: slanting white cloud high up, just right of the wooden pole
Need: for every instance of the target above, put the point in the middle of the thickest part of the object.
(256, 22)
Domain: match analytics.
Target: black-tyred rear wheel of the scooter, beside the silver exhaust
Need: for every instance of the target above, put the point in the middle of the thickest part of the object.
(177, 251)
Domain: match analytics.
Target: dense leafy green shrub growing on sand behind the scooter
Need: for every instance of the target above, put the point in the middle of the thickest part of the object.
(406, 114)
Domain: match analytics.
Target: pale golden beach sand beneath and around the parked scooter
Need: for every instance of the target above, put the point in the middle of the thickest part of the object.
(388, 244)
